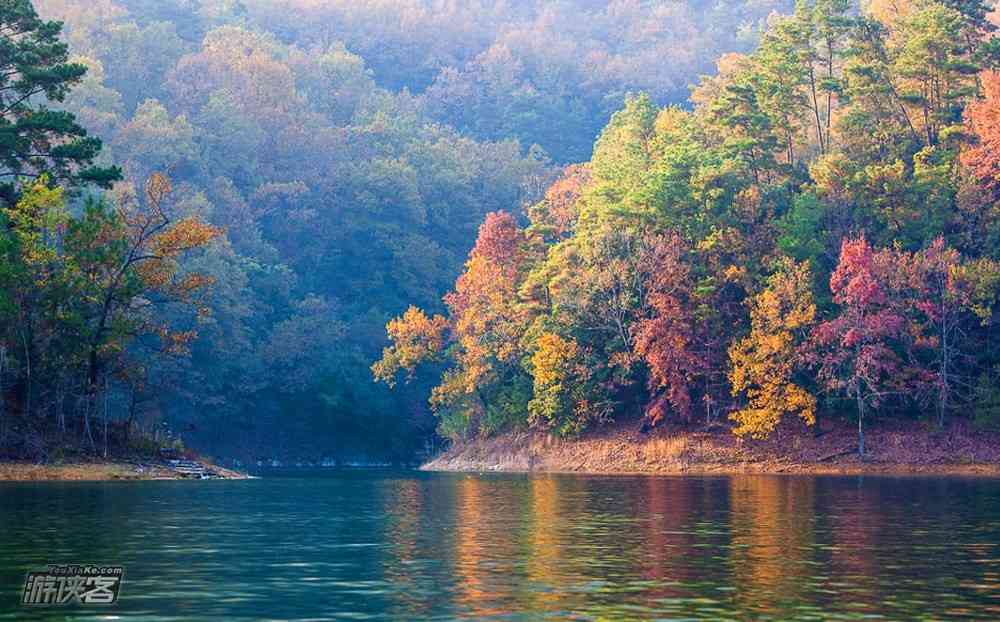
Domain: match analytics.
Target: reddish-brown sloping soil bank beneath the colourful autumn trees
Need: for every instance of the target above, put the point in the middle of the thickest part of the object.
(891, 448)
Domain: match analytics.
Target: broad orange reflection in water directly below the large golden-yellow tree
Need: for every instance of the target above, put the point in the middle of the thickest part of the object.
(773, 540)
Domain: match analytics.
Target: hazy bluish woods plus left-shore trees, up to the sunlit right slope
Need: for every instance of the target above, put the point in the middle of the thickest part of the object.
(280, 178)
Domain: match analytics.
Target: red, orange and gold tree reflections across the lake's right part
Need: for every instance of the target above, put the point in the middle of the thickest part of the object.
(643, 548)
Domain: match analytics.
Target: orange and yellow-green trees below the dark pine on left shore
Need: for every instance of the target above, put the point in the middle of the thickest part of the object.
(85, 289)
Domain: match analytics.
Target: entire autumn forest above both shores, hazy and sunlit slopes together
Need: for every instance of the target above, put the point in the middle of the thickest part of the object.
(359, 229)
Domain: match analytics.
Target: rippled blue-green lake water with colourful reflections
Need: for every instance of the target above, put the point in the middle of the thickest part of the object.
(419, 546)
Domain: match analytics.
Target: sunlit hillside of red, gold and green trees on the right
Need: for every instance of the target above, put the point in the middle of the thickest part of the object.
(816, 237)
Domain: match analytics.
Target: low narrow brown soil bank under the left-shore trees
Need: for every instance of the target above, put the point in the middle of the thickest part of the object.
(104, 471)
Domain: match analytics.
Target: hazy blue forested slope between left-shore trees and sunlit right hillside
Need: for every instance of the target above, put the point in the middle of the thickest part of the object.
(351, 148)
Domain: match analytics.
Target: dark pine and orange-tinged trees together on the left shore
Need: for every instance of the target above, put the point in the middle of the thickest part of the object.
(78, 286)
